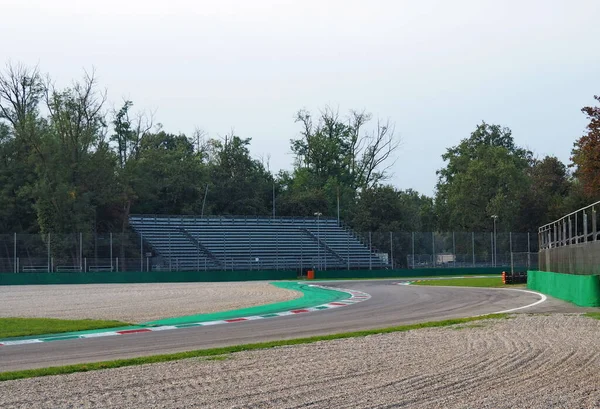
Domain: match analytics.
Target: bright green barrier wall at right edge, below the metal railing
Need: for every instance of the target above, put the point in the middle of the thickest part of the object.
(582, 290)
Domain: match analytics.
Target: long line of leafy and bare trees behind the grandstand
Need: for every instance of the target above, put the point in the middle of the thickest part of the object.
(68, 163)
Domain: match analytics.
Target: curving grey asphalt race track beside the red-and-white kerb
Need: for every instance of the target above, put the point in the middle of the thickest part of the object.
(389, 305)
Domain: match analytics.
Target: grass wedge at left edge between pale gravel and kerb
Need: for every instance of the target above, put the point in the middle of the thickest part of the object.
(23, 327)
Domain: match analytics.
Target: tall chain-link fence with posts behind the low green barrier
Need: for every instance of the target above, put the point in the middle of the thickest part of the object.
(82, 252)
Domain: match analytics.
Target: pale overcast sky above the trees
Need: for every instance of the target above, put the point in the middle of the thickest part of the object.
(435, 68)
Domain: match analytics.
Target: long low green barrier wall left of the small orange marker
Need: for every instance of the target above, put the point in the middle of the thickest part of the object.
(142, 277)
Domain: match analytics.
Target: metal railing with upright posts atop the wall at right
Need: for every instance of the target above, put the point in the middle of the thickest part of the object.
(580, 226)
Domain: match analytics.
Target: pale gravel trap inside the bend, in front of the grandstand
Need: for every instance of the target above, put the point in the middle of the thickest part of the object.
(135, 302)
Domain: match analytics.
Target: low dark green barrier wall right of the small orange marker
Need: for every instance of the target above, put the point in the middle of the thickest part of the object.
(417, 272)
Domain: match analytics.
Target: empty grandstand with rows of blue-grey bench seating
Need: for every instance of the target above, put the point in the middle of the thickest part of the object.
(189, 243)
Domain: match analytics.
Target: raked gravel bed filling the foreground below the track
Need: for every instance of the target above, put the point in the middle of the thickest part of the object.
(529, 361)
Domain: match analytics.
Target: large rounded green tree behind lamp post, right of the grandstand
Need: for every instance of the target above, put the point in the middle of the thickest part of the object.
(485, 175)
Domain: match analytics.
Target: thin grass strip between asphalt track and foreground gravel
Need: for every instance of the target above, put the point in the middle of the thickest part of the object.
(224, 351)
